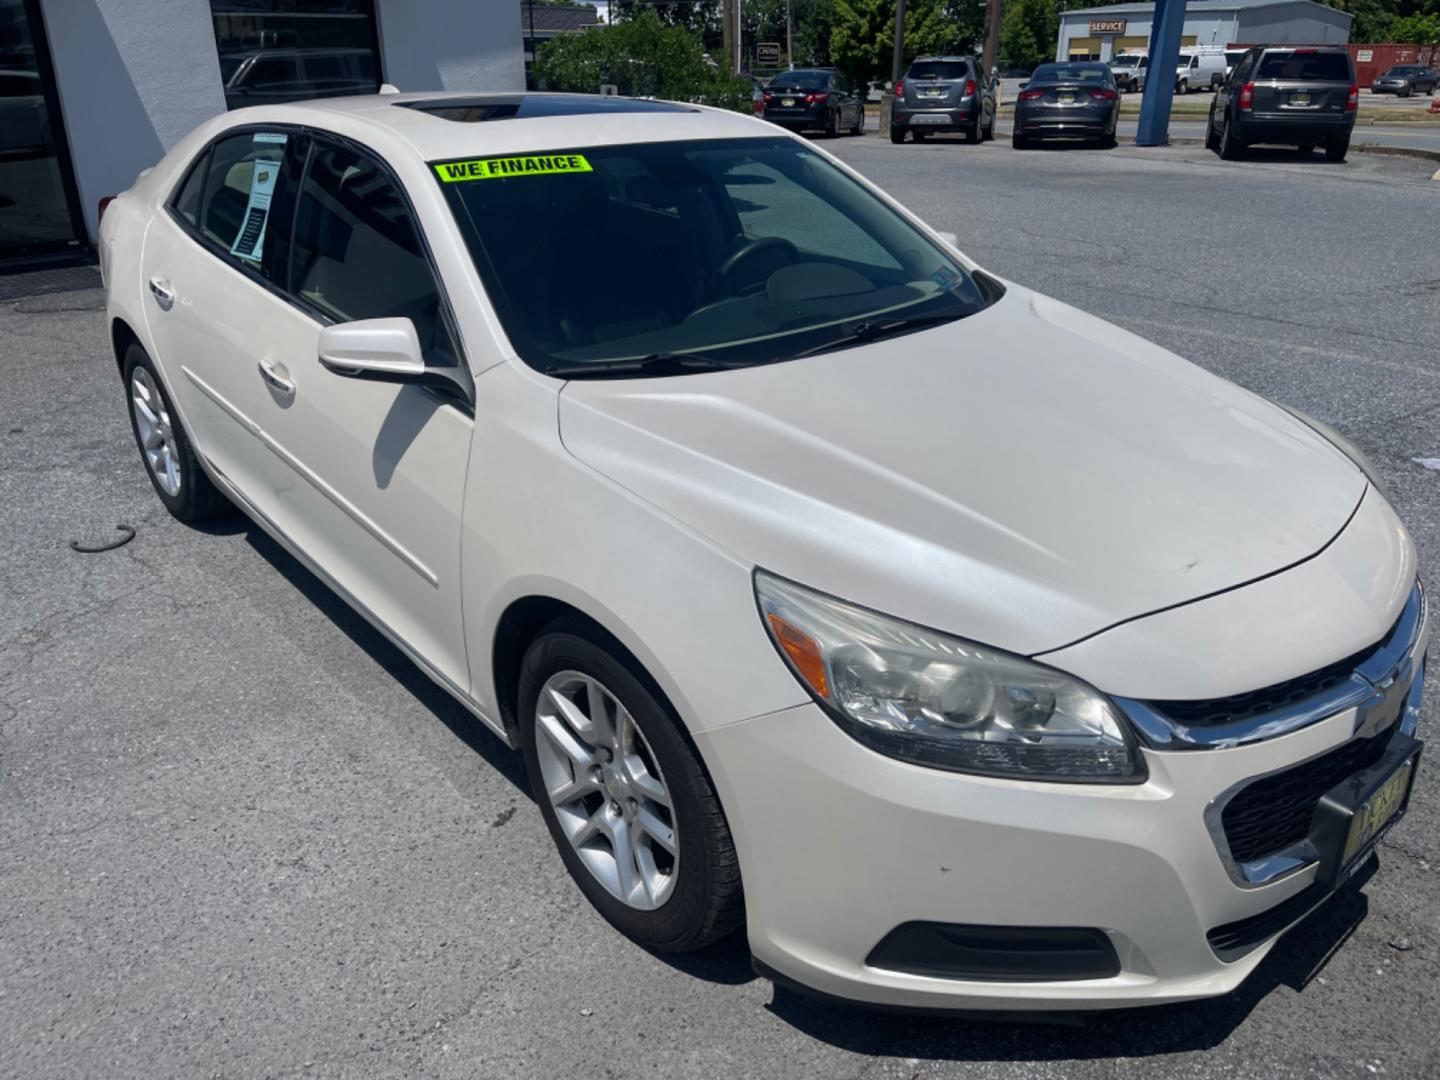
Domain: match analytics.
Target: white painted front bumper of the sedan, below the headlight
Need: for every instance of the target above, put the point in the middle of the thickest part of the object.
(842, 846)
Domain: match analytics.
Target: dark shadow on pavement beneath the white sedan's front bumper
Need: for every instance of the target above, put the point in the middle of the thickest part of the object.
(1295, 963)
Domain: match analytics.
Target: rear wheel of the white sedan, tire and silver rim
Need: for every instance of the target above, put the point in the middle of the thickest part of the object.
(165, 446)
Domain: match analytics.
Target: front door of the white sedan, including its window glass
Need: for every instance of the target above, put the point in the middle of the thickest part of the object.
(375, 473)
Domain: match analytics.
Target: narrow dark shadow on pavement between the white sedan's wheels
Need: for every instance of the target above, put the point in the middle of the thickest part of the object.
(460, 721)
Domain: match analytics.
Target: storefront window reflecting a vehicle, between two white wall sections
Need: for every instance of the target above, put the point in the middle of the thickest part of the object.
(276, 51)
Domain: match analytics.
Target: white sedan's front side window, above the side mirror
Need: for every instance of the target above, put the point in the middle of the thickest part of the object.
(358, 254)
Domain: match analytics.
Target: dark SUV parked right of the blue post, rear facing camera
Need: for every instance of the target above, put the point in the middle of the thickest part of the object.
(1300, 96)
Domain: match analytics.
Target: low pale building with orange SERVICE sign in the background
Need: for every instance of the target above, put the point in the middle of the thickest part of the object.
(1098, 34)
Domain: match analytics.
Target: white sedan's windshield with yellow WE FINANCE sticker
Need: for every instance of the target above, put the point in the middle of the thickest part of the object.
(734, 251)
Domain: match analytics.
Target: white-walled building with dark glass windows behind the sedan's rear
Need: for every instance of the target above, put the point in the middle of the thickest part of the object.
(94, 91)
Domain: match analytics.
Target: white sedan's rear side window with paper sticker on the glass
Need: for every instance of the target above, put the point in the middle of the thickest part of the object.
(243, 182)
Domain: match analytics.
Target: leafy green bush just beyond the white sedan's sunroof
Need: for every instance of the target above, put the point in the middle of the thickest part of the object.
(643, 58)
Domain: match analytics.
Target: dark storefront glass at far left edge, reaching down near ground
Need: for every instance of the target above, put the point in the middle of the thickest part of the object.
(35, 210)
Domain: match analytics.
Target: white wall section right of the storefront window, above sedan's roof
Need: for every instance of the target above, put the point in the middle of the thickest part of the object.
(466, 45)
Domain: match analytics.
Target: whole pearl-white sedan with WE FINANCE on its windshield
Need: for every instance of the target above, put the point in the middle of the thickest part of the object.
(971, 652)
